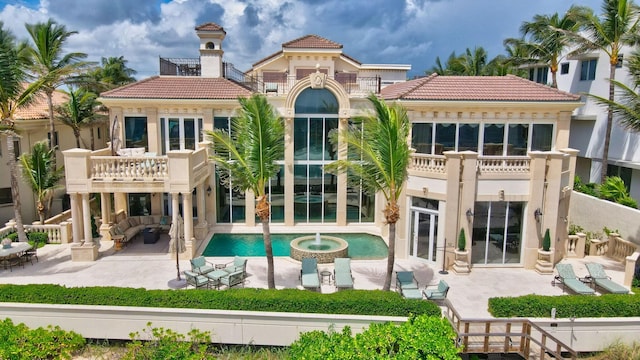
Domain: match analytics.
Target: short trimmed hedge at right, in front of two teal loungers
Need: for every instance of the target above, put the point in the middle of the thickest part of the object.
(579, 306)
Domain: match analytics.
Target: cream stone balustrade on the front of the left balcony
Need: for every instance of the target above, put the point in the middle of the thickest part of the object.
(121, 168)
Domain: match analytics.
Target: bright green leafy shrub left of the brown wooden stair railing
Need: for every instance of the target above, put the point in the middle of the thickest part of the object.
(422, 337)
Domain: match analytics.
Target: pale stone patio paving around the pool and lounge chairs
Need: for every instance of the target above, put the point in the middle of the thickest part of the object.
(150, 266)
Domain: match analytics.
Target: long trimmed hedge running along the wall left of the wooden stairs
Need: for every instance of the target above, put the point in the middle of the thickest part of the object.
(356, 302)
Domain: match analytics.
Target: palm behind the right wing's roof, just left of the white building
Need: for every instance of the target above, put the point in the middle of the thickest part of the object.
(545, 40)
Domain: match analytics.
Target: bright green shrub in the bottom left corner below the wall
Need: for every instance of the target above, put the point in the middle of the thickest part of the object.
(19, 342)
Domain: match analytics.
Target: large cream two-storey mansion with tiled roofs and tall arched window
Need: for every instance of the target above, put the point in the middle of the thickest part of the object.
(491, 157)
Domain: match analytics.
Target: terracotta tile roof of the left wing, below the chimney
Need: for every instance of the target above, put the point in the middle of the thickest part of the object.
(180, 87)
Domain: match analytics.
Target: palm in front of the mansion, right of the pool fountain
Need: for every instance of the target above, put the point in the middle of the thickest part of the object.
(378, 157)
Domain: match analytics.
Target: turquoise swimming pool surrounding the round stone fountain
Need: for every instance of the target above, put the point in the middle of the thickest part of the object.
(361, 246)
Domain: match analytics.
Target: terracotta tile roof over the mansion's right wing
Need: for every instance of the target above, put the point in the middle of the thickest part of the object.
(491, 88)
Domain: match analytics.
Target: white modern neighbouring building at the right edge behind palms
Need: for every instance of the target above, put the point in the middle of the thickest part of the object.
(588, 74)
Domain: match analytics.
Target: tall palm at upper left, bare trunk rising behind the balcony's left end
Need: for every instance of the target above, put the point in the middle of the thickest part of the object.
(50, 65)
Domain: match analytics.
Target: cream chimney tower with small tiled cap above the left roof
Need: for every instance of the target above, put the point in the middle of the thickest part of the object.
(211, 36)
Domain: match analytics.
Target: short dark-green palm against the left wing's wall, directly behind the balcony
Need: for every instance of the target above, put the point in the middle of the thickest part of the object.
(78, 112)
